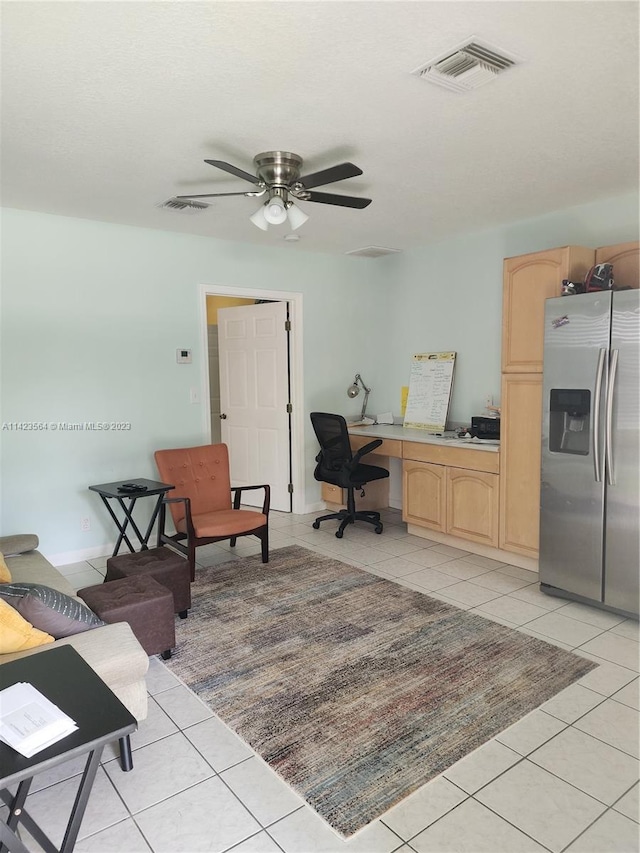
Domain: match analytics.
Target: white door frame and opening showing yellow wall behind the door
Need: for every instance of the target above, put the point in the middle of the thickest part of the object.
(215, 297)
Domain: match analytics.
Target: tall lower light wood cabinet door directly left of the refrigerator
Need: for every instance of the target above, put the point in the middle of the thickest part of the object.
(520, 443)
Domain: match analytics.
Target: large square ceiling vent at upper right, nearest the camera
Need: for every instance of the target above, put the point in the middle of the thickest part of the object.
(471, 64)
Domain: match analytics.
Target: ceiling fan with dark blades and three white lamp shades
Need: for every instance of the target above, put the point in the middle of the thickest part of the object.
(278, 177)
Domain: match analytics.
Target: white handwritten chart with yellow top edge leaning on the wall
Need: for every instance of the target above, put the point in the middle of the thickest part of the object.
(430, 383)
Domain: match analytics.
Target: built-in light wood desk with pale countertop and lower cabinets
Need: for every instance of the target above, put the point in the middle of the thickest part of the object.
(450, 486)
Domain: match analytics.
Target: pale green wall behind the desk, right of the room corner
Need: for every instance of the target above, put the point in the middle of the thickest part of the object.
(448, 296)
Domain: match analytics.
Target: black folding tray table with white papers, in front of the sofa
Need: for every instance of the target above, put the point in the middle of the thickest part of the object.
(65, 678)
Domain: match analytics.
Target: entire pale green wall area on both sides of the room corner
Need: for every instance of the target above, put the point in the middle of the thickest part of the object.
(92, 314)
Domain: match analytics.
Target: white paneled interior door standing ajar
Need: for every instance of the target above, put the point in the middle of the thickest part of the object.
(254, 395)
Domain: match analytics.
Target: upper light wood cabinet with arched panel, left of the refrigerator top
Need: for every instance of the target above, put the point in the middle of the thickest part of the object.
(528, 281)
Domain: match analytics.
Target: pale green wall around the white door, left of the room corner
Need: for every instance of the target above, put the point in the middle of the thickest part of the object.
(92, 315)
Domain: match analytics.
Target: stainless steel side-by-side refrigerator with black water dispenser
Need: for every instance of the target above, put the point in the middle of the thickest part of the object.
(590, 491)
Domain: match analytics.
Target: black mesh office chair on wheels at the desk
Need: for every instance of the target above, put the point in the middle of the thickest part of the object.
(338, 466)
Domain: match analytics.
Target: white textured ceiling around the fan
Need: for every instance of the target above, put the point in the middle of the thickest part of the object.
(109, 108)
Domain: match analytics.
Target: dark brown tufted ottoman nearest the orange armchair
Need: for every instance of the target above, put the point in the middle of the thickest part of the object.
(161, 564)
